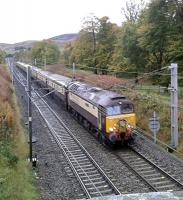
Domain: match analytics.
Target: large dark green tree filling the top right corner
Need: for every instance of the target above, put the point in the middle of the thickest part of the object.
(160, 34)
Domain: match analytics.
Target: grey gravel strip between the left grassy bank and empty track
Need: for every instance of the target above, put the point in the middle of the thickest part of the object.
(54, 178)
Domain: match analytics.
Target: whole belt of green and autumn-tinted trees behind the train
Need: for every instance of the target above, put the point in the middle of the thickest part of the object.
(149, 38)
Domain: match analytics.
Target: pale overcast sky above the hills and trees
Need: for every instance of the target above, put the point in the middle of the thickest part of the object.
(22, 20)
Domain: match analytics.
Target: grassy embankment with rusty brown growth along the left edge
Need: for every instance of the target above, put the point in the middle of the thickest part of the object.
(16, 181)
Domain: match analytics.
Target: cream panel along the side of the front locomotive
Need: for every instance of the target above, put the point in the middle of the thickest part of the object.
(84, 104)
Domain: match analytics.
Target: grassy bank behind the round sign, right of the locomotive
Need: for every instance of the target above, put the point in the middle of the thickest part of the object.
(148, 101)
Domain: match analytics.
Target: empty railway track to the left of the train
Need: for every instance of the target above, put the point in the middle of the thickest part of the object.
(91, 177)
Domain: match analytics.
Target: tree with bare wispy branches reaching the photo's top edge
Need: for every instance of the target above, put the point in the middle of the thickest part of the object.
(132, 51)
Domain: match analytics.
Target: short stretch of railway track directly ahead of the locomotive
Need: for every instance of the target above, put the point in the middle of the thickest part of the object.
(156, 178)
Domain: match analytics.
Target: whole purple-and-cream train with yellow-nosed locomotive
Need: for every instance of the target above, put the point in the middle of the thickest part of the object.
(107, 114)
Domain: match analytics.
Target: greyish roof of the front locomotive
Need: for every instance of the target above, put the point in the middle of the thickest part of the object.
(97, 95)
